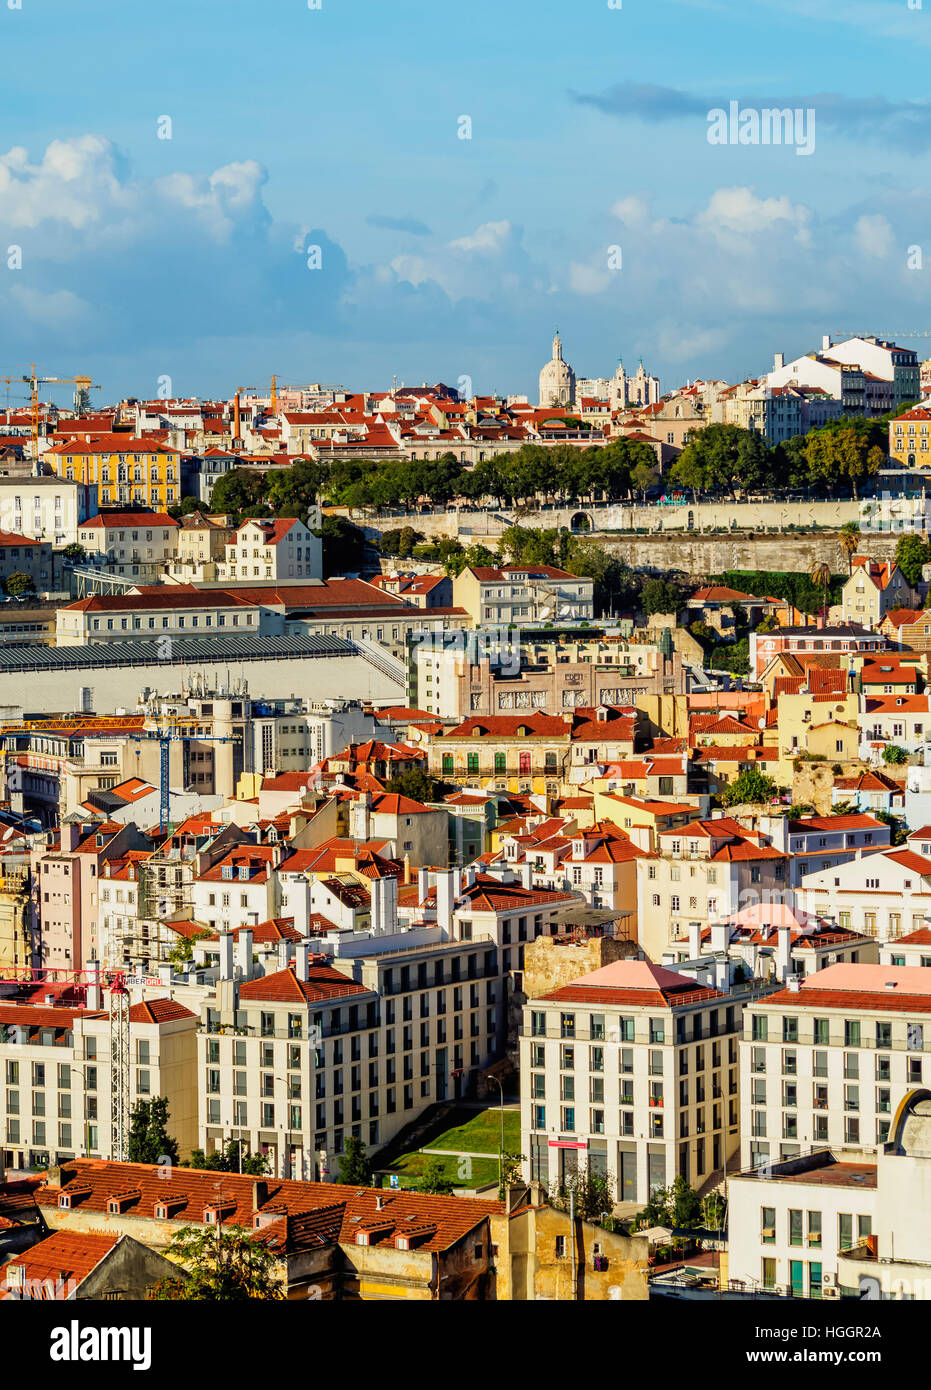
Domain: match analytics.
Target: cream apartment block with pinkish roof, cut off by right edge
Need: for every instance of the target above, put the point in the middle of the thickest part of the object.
(827, 1061)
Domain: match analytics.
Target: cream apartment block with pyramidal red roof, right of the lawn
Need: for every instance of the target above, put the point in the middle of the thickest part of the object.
(630, 1071)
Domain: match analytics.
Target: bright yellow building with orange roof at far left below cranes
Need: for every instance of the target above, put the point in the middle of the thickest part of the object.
(127, 471)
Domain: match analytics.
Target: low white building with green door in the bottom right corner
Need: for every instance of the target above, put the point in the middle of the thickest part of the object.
(789, 1223)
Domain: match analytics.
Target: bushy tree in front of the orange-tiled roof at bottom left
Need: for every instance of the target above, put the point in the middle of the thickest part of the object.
(226, 1264)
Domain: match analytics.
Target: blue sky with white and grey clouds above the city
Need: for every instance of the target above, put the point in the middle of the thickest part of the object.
(447, 258)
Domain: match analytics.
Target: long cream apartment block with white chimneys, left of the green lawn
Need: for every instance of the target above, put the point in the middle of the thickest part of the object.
(355, 1040)
